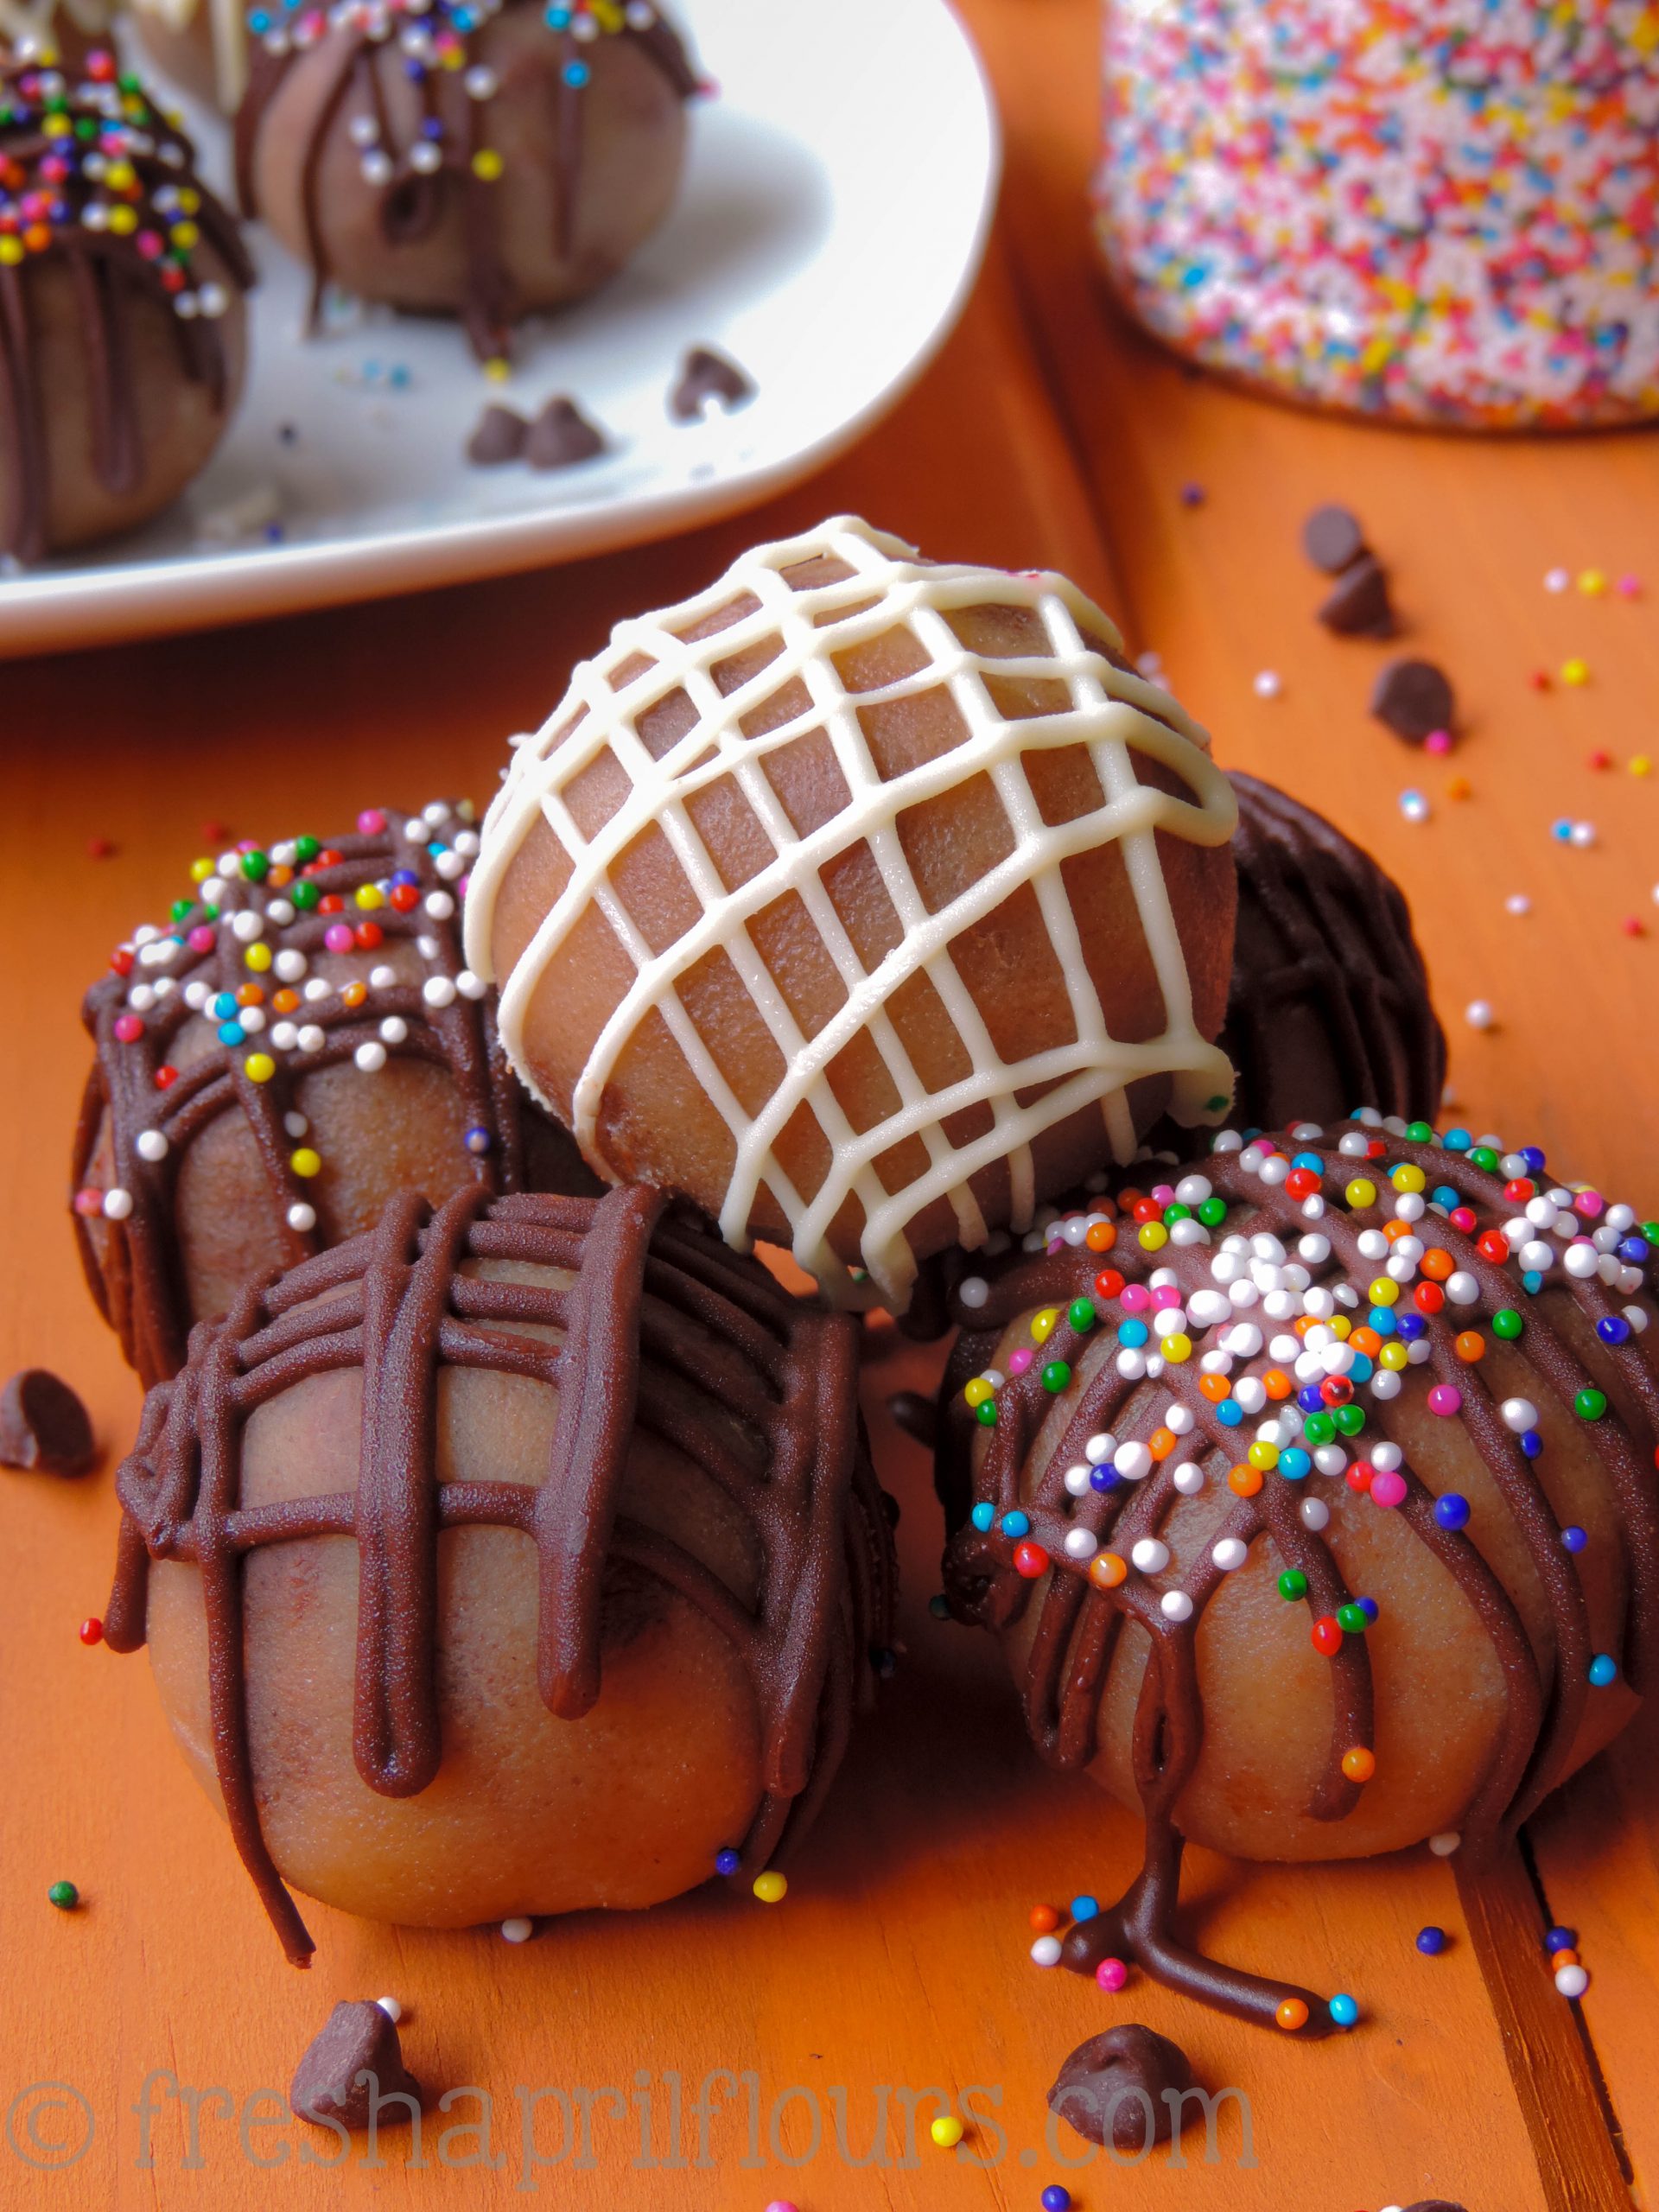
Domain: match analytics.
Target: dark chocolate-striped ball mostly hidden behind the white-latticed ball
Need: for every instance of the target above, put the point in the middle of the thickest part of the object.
(1331, 999)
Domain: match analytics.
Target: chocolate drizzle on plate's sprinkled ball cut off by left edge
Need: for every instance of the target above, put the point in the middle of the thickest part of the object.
(109, 273)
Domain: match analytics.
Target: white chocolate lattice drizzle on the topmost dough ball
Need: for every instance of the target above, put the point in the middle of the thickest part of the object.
(1114, 713)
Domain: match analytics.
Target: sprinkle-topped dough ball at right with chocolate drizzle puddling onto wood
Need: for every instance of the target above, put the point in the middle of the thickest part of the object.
(1313, 1499)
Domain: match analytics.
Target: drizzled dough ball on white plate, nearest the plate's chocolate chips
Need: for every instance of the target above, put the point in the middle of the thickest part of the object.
(486, 160)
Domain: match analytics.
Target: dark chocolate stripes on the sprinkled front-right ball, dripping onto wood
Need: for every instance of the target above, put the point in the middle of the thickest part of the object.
(1081, 1623)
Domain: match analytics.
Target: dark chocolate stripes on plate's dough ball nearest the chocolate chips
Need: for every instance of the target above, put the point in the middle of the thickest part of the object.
(413, 200)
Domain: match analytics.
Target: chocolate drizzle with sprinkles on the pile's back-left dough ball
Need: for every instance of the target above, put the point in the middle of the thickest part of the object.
(132, 1260)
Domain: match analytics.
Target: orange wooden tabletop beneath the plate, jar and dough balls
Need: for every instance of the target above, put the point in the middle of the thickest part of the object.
(1047, 435)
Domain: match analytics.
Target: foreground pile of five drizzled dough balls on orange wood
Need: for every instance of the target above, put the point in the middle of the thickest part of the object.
(503, 1530)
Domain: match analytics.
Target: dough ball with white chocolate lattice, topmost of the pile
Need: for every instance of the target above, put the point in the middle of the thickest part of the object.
(864, 899)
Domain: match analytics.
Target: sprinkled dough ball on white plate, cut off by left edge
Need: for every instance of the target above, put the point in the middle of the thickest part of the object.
(123, 324)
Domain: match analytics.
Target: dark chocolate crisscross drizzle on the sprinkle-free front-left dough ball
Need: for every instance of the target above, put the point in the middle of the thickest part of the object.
(647, 1291)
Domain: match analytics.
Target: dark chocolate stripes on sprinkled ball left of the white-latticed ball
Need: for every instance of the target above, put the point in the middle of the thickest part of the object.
(140, 1282)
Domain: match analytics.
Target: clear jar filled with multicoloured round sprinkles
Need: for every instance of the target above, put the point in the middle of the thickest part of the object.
(1443, 211)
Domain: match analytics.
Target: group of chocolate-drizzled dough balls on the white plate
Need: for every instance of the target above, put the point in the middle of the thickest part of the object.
(472, 158)
